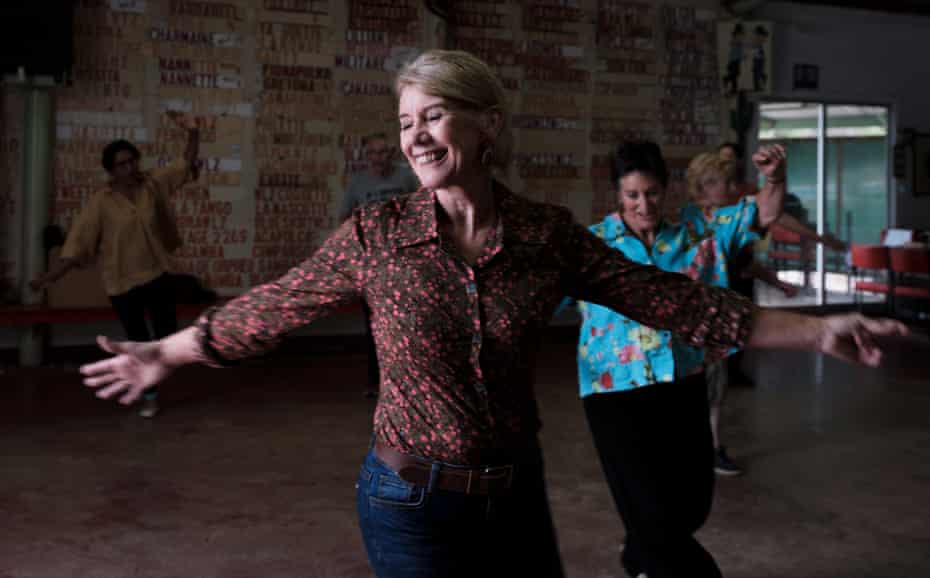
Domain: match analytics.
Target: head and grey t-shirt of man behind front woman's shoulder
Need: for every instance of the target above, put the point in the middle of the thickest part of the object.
(381, 181)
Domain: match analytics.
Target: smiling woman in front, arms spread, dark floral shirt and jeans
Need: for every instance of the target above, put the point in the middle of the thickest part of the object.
(462, 276)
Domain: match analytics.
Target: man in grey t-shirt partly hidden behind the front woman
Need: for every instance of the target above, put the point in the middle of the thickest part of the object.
(381, 181)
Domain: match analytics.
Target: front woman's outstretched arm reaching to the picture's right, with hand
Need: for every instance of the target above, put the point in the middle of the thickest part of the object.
(714, 318)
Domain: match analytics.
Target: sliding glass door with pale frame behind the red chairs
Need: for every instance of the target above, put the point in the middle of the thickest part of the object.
(838, 190)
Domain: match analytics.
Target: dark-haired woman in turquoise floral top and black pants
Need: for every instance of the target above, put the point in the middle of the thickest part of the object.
(643, 390)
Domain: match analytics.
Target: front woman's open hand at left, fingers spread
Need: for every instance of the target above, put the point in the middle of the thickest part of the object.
(134, 368)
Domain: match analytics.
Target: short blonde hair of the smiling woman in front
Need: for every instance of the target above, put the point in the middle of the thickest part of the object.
(465, 81)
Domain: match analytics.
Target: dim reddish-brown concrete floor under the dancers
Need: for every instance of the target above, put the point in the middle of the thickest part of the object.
(250, 472)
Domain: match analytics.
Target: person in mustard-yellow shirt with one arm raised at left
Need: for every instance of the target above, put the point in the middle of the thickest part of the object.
(129, 227)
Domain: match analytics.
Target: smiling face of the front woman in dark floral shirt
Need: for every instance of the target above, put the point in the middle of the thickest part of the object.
(442, 144)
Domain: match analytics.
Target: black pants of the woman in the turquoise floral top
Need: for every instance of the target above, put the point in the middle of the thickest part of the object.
(657, 452)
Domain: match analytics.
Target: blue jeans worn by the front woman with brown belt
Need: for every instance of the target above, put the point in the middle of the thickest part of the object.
(413, 531)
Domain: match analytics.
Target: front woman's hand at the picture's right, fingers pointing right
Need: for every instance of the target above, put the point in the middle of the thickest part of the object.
(853, 337)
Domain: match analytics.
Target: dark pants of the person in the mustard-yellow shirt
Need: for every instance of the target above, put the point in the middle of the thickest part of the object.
(155, 297)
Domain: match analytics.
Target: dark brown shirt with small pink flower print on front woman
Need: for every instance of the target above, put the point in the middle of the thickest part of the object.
(456, 342)
